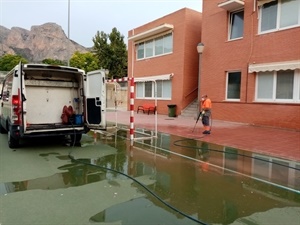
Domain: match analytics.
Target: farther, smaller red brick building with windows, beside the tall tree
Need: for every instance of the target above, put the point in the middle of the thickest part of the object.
(163, 54)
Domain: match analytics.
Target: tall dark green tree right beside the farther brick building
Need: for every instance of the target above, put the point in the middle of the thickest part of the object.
(111, 52)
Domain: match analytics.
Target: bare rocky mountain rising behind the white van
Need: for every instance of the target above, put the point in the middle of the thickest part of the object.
(40, 42)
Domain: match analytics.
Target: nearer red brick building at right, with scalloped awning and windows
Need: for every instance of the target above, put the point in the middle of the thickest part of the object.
(250, 66)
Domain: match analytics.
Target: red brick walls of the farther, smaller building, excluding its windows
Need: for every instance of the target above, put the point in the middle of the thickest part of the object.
(183, 62)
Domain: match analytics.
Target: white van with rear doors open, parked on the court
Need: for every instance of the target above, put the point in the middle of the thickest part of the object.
(47, 100)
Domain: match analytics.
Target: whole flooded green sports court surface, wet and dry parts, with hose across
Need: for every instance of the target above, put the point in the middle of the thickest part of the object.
(164, 180)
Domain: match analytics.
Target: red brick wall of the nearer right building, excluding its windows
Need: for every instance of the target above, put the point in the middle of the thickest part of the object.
(221, 55)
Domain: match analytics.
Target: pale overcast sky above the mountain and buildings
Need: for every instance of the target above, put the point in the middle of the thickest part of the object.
(89, 16)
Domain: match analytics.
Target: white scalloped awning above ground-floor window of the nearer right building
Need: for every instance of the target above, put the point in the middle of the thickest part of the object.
(275, 66)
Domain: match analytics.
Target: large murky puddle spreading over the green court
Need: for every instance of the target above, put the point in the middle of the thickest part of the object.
(176, 178)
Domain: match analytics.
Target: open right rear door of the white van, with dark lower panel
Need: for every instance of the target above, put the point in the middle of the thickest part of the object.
(95, 99)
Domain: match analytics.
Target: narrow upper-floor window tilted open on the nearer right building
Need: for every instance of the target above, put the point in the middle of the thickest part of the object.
(236, 25)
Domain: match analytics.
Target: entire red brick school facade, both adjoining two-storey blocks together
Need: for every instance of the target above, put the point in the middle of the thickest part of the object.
(249, 64)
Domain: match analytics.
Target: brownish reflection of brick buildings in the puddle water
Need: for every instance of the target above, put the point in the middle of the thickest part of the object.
(219, 184)
